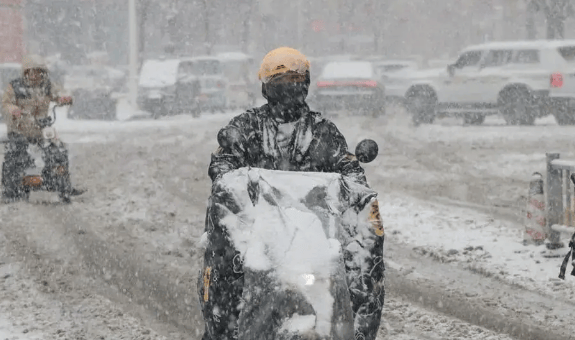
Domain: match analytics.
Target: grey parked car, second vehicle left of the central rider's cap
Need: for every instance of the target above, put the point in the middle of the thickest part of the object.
(213, 91)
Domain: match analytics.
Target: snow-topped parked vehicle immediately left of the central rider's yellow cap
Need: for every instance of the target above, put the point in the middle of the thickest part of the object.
(240, 73)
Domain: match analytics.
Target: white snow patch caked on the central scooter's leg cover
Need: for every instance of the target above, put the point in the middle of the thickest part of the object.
(274, 235)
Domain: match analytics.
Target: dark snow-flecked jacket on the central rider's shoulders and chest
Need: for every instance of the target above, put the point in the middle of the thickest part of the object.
(316, 145)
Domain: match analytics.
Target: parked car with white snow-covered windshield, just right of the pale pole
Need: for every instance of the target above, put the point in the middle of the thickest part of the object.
(169, 86)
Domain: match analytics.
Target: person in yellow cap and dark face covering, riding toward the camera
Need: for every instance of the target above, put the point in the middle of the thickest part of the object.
(286, 135)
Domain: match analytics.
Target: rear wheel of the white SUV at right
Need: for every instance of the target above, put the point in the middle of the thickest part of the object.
(516, 108)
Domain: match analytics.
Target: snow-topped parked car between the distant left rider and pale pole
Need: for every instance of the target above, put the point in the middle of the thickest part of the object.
(94, 89)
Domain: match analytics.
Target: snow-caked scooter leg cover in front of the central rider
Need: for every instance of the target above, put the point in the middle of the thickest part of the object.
(295, 254)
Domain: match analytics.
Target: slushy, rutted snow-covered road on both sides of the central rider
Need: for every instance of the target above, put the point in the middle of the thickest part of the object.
(452, 198)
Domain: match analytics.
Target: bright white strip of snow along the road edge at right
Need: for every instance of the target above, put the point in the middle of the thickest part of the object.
(474, 240)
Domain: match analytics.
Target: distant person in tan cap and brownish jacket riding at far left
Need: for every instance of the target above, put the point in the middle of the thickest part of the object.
(25, 100)
